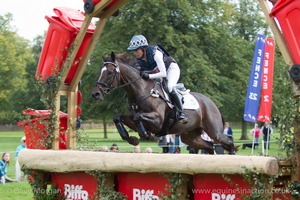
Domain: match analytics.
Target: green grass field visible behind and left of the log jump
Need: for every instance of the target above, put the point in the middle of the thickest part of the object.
(95, 138)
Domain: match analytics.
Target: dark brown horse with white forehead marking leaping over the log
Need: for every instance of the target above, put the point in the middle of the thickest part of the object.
(149, 112)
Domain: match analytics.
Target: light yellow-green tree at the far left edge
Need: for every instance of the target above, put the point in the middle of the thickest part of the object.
(14, 54)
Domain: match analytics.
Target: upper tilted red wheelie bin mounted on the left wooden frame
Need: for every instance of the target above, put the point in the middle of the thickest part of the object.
(61, 33)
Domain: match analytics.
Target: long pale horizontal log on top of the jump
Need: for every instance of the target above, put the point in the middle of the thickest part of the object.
(73, 161)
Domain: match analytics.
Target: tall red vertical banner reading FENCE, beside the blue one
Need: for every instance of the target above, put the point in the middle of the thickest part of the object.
(265, 109)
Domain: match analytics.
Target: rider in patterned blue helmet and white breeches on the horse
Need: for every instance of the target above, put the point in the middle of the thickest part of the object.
(156, 63)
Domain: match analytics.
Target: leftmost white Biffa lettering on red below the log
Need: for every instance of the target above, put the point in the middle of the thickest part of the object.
(73, 192)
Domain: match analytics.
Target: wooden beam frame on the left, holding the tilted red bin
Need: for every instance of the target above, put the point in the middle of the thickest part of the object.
(71, 90)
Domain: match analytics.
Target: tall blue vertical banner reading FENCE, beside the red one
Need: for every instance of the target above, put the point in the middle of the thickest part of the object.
(254, 85)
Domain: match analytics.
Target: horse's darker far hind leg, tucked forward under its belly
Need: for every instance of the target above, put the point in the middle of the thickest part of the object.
(195, 140)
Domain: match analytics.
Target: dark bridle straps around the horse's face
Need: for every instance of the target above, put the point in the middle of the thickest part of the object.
(107, 87)
